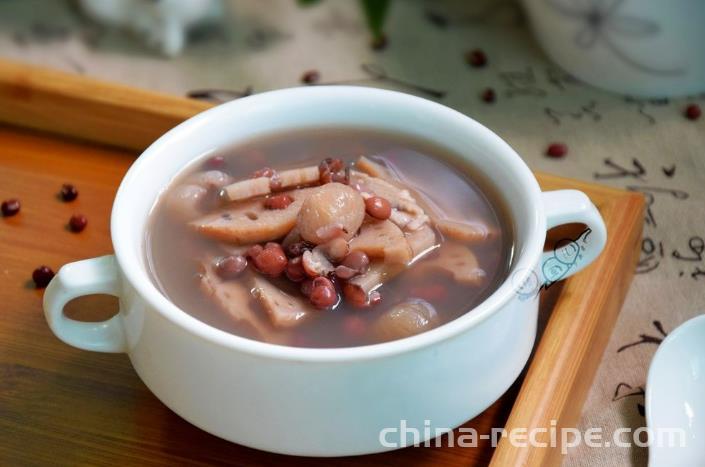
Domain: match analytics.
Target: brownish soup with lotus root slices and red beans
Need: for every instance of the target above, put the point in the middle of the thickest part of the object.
(435, 236)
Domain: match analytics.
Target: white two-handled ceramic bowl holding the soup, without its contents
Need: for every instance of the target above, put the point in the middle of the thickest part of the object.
(324, 402)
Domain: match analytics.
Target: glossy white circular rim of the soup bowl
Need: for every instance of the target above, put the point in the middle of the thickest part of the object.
(523, 264)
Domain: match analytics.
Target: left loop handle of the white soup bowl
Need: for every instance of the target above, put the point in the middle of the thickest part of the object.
(90, 276)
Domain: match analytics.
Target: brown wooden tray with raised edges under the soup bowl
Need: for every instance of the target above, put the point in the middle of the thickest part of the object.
(63, 405)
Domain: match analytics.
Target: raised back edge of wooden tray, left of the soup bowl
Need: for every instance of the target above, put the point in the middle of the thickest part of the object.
(88, 109)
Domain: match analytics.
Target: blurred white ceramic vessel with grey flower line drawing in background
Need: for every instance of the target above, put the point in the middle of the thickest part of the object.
(645, 48)
